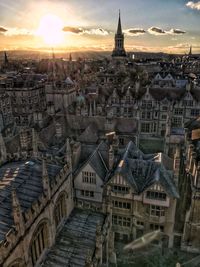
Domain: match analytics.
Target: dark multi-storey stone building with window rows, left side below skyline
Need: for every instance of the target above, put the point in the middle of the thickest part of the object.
(27, 96)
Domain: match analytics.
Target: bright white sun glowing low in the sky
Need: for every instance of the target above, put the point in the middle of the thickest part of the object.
(50, 29)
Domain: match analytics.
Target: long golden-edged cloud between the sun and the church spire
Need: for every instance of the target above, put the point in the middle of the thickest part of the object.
(77, 30)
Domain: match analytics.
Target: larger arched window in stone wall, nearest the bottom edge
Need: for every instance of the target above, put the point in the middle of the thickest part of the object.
(40, 242)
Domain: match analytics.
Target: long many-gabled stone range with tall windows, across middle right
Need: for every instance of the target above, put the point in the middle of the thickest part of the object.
(160, 111)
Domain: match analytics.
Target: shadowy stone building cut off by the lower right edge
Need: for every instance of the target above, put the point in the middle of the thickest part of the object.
(188, 209)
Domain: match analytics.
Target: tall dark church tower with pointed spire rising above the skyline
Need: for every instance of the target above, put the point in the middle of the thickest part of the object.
(119, 50)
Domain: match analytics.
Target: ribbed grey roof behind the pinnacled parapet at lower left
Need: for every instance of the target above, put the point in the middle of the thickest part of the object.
(26, 178)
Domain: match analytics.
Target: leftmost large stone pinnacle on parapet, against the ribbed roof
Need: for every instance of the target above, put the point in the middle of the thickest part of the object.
(17, 213)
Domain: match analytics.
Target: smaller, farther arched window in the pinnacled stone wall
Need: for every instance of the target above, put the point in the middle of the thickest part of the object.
(60, 209)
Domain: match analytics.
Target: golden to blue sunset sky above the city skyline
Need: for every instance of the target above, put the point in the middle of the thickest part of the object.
(170, 26)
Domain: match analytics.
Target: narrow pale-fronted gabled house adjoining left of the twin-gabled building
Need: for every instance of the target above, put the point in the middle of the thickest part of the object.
(90, 178)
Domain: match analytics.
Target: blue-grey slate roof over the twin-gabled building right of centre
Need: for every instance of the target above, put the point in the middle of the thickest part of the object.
(141, 171)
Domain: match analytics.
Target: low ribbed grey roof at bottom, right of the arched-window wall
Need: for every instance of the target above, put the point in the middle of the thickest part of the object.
(76, 238)
